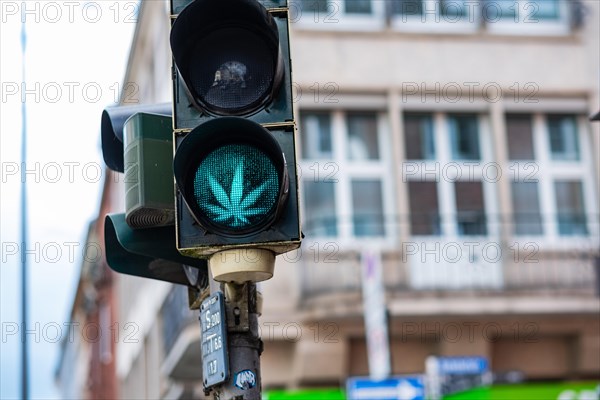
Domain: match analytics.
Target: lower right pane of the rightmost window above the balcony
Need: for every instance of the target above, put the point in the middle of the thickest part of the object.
(570, 207)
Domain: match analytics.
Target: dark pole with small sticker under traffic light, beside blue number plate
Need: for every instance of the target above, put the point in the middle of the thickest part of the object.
(243, 342)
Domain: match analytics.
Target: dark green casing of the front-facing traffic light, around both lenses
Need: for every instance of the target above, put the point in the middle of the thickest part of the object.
(194, 19)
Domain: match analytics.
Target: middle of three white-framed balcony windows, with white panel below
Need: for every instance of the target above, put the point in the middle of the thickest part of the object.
(451, 201)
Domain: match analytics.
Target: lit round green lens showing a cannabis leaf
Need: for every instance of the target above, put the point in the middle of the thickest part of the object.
(236, 187)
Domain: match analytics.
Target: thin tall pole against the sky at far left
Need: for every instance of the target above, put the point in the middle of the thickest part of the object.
(24, 350)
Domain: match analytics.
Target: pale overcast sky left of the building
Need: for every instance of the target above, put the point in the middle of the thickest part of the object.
(75, 64)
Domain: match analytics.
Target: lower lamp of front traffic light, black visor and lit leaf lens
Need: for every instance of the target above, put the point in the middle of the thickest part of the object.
(233, 175)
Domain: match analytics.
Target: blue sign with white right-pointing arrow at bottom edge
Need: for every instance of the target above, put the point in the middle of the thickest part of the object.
(394, 388)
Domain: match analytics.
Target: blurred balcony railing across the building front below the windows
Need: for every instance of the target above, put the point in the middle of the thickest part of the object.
(543, 265)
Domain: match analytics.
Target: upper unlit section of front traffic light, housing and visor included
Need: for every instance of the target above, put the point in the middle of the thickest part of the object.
(231, 57)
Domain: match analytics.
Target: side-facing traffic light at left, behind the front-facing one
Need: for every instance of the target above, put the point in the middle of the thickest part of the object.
(138, 141)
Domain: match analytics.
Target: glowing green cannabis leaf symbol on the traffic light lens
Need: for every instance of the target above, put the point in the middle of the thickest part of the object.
(235, 206)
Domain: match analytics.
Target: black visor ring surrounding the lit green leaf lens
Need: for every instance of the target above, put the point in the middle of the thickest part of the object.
(202, 141)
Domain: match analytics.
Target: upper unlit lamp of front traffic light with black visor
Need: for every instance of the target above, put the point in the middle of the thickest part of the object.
(228, 55)
